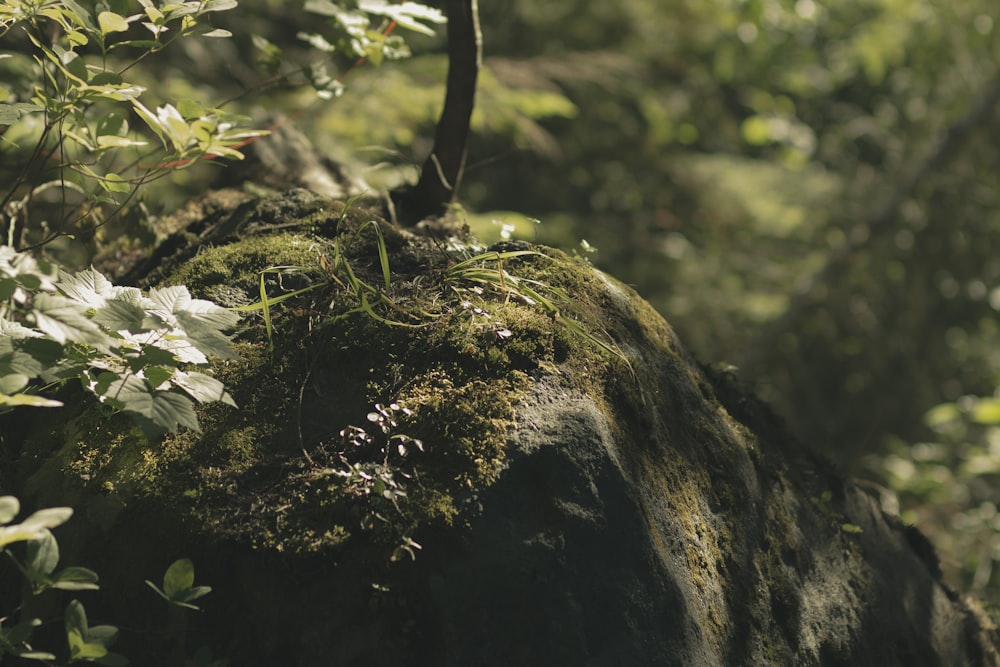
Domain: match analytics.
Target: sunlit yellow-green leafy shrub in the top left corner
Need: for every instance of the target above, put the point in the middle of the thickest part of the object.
(71, 103)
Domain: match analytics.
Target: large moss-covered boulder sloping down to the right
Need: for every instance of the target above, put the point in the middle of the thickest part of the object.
(583, 492)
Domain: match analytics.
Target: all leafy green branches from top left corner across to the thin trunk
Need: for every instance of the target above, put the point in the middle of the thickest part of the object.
(78, 77)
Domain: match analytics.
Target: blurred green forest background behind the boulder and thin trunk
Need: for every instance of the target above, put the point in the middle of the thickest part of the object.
(806, 190)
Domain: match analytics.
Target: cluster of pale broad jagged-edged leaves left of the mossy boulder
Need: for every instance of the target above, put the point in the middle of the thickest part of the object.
(132, 350)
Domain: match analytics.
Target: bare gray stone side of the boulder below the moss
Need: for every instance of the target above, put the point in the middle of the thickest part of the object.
(581, 558)
